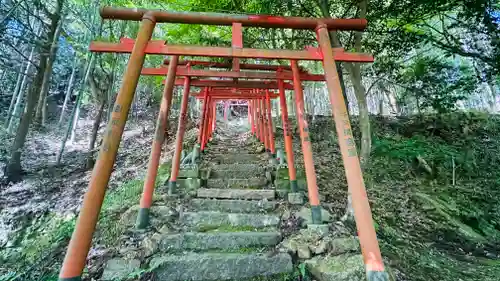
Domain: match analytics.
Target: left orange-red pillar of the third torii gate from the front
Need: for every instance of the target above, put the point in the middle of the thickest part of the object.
(176, 160)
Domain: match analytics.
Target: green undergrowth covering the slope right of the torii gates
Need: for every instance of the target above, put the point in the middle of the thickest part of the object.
(433, 183)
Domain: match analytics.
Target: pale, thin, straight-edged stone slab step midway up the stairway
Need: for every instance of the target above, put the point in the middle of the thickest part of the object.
(248, 194)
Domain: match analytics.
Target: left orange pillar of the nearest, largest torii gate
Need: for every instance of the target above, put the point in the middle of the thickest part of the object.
(80, 242)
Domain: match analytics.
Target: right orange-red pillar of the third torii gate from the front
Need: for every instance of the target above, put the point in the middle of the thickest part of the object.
(288, 138)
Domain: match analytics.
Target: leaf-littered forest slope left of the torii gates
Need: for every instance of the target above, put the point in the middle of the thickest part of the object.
(37, 214)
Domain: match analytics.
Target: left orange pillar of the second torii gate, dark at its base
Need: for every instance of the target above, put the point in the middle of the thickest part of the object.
(154, 159)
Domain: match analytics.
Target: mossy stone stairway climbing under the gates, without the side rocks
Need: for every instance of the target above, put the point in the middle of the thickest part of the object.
(231, 228)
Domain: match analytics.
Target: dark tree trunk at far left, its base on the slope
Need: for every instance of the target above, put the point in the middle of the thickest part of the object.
(13, 168)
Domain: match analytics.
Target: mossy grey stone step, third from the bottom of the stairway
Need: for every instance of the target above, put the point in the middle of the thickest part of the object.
(206, 219)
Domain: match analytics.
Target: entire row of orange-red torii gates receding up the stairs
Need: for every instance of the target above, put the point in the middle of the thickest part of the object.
(257, 93)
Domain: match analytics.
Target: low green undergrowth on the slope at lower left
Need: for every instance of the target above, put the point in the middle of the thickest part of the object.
(38, 251)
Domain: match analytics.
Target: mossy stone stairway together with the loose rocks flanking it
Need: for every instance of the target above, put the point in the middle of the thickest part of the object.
(232, 227)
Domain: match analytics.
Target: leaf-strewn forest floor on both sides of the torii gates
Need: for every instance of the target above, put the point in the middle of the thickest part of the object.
(437, 225)
